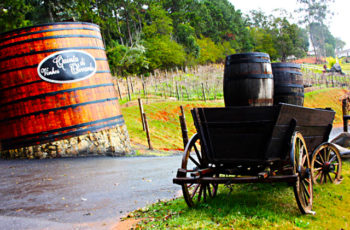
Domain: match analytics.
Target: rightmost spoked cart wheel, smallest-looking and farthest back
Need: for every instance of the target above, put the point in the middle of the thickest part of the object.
(326, 164)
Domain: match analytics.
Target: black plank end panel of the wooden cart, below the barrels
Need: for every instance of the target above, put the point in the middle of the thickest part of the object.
(235, 134)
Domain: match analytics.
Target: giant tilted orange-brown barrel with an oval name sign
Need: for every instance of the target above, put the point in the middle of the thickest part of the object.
(55, 83)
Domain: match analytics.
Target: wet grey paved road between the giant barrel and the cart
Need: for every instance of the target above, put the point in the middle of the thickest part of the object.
(81, 193)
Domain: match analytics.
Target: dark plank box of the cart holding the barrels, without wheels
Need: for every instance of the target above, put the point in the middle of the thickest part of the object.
(258, 134)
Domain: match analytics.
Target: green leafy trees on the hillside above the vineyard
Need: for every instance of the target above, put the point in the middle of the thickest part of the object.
(143, 35)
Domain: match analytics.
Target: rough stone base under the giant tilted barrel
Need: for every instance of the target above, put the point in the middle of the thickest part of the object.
(110, 142)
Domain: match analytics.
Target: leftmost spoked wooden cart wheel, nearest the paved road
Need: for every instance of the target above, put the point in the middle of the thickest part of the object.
(192, 161)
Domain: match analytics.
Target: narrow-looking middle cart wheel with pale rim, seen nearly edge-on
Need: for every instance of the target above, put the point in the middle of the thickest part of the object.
(303, 189)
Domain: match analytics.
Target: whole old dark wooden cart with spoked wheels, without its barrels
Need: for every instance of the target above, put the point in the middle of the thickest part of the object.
(259, 145)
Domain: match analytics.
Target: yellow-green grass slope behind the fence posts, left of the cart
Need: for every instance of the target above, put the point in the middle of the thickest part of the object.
(163, 121)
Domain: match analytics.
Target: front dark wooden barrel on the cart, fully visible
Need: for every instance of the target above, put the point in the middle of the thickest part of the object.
(248, 80)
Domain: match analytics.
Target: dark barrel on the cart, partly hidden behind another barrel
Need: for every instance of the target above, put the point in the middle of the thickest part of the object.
(288, 83)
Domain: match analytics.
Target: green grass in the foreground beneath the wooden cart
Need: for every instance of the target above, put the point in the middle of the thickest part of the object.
(254, 206)
